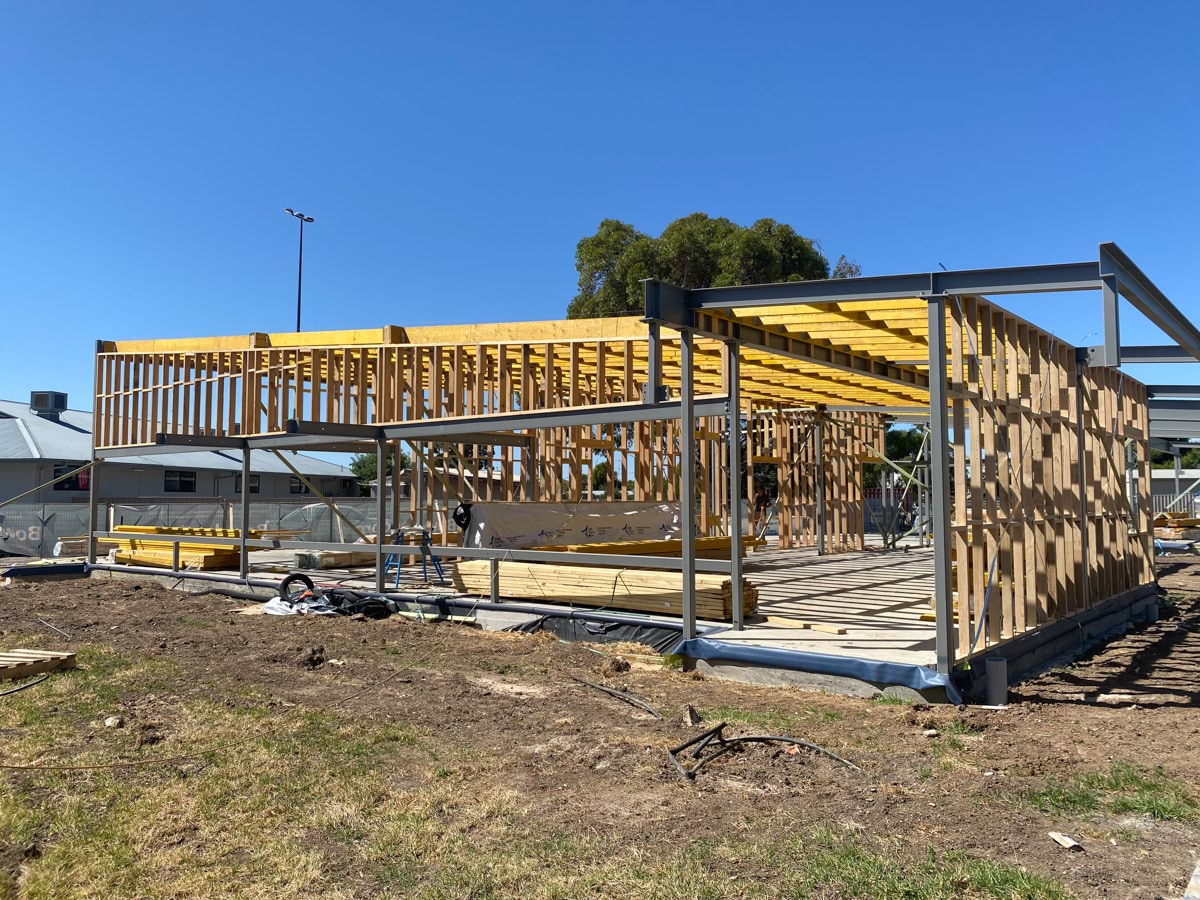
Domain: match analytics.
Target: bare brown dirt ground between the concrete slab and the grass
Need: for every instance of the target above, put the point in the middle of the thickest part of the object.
(585, 763)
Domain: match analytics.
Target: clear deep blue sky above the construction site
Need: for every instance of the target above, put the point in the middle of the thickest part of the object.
(454, 154)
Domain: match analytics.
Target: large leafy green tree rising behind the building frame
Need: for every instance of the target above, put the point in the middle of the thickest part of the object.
(694, 253)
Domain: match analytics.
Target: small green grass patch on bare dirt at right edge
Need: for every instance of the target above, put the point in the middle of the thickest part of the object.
(1121, 789)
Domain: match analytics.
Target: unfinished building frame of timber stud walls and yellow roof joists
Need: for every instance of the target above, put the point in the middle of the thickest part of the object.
(1039, 451)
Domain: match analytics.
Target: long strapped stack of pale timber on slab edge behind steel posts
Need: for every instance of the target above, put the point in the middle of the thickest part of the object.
(633, 590)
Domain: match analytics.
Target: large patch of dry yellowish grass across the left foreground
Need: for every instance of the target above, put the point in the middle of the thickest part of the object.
(308, 803)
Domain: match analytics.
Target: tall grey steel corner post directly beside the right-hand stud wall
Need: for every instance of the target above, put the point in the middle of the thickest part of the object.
(940, 484)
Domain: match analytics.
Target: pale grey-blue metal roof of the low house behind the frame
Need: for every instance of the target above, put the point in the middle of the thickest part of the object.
(27, 436)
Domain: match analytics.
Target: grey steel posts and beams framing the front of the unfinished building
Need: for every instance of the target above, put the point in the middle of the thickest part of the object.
(710, 314)
